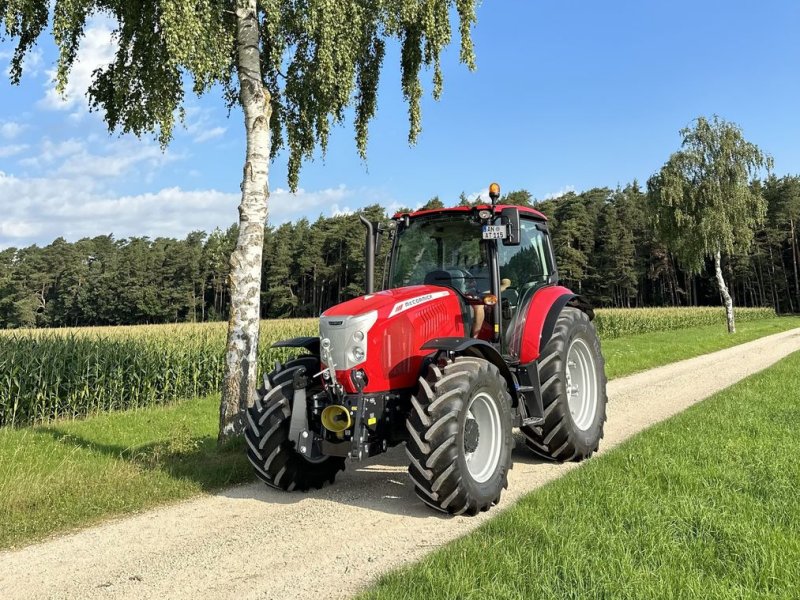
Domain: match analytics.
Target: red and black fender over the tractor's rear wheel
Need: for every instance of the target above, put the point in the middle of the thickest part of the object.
(543, 312)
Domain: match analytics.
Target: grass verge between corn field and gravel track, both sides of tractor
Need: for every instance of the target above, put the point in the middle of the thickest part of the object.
(73, 473)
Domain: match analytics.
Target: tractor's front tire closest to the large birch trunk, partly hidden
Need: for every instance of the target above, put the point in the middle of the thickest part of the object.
(273, 455)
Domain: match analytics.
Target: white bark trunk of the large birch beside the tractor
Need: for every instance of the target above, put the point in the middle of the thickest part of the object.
(241, 353)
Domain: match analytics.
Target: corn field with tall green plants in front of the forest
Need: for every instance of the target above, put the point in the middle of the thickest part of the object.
(66, 373)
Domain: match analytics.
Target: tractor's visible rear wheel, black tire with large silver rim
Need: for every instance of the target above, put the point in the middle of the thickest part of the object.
(573, 382)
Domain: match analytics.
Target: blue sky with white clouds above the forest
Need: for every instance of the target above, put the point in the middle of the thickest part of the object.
(567, 95)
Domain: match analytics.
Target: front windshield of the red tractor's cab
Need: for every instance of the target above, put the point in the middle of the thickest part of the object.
(442, 250)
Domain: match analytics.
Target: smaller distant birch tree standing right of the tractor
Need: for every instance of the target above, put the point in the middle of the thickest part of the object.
(702, 201)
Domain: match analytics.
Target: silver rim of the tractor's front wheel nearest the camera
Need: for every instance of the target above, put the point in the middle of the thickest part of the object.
(483, 460)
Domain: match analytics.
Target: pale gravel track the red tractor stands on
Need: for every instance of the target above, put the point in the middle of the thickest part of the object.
(250, 542)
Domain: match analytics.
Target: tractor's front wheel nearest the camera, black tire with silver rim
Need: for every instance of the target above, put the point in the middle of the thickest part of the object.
(461, 438)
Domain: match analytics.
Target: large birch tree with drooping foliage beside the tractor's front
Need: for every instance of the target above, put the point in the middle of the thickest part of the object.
(295, 68)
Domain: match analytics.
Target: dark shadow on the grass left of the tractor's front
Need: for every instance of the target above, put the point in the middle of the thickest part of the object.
(197, 459)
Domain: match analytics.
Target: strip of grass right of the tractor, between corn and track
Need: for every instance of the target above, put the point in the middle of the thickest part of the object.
(634, 353)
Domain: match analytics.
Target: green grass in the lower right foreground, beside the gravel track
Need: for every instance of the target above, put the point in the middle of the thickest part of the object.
(705, 505)
